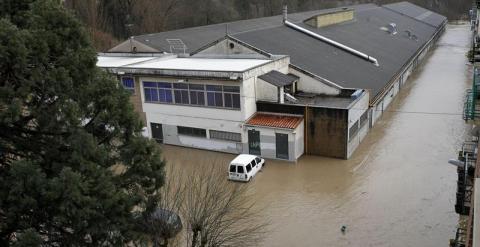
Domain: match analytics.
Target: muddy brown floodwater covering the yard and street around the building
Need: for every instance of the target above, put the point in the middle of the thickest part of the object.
(396, 190)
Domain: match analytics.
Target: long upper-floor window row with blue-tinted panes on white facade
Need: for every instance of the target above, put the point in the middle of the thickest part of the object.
(192, 94)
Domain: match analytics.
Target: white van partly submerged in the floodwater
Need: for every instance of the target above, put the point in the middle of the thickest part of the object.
(244, 167)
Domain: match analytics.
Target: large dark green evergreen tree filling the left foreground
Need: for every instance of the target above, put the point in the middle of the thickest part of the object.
(73, 163)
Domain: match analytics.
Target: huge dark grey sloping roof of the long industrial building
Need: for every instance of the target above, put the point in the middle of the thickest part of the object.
(365, 33)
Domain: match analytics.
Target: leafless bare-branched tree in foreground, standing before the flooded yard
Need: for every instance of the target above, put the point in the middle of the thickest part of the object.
(219, 212)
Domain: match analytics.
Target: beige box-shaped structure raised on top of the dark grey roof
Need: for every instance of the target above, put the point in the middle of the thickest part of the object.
(330, 18)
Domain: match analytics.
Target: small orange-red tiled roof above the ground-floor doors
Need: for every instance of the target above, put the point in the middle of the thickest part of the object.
(275, 120)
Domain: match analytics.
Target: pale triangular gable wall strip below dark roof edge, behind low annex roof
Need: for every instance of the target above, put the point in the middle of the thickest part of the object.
(310, 84)
